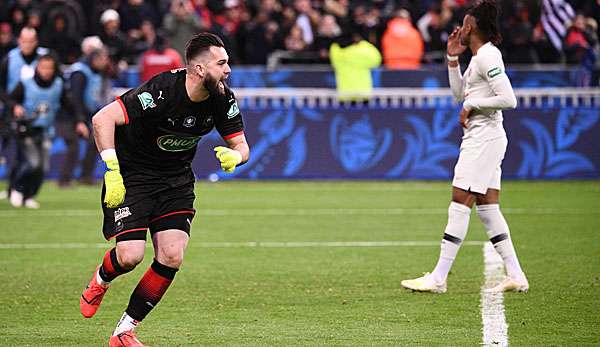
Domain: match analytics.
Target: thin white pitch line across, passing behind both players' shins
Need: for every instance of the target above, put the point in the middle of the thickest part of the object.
(256, 244)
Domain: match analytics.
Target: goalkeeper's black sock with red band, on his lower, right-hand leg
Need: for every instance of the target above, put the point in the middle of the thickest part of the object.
(150, 290)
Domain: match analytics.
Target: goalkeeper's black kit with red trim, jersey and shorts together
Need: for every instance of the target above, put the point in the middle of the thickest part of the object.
(155, 149)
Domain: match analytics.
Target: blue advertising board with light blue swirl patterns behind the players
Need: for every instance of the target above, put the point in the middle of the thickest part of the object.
(400, 143)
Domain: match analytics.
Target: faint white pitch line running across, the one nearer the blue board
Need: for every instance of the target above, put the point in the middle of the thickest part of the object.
(302, 212)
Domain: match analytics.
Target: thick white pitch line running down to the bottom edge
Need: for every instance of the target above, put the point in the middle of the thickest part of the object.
(495, 328)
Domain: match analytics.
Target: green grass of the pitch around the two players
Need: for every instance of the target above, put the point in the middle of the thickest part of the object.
(310, 296)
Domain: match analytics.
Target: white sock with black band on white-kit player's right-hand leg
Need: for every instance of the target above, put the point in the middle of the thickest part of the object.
(499, 234)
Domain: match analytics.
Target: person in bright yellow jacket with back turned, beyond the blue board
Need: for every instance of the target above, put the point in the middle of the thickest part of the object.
(352, 59)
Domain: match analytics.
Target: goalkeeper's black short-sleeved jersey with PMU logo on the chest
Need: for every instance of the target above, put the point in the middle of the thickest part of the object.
(163, 126)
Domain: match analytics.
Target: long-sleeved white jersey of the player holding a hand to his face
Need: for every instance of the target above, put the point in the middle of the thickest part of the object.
(486, 90)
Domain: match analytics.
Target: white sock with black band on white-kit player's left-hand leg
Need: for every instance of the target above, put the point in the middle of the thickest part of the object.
(456, 230)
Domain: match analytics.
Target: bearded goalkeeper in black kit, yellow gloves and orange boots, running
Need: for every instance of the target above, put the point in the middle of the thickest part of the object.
(147, 139)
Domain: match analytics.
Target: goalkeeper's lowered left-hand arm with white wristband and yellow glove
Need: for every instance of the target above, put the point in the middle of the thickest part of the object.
(104, 123)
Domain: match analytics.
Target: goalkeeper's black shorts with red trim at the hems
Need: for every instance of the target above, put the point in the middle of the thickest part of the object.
(150, 204)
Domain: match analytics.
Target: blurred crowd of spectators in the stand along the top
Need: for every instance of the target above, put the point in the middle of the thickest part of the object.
(304, 29)
